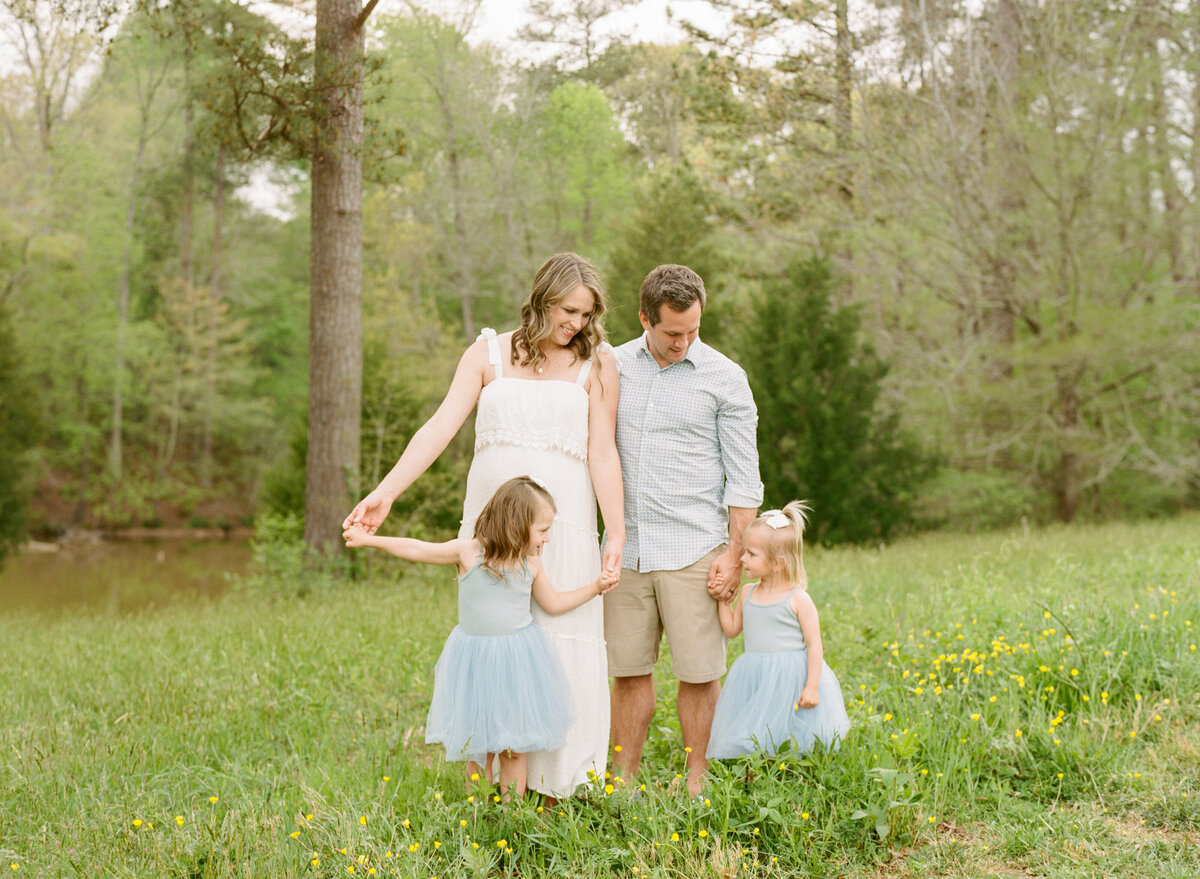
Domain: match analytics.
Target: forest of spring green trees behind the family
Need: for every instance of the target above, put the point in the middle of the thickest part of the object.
(956, 246)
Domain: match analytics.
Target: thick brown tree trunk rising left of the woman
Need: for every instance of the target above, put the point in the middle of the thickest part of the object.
(335, 348)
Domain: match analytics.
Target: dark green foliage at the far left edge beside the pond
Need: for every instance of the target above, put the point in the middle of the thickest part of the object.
(19, 433)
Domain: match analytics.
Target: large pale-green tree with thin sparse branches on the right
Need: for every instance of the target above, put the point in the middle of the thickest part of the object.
(1017, 254)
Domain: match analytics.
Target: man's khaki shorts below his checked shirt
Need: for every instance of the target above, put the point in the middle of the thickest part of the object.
(677, 602)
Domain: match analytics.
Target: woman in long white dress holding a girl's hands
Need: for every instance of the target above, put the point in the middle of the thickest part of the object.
(548, 408)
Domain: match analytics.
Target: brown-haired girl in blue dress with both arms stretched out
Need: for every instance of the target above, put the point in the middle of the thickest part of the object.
(497, 687)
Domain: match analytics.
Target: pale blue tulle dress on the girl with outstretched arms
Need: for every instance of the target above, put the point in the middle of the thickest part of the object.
(497, 685)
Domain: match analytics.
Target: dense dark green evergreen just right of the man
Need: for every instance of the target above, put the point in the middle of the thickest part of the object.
(824, 433)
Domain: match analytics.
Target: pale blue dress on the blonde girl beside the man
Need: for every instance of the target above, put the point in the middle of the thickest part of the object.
(757, 710)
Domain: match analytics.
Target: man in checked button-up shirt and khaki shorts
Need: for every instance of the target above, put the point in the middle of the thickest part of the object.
(687, 435)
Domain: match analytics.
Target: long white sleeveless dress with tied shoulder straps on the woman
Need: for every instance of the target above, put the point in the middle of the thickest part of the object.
(541, 429)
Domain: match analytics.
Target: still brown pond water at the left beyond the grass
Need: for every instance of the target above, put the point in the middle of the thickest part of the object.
(119, 577)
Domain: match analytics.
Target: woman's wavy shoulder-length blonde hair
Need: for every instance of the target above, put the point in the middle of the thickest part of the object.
(559, 277)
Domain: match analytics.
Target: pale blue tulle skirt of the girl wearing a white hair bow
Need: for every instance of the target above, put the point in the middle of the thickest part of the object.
(757, 711)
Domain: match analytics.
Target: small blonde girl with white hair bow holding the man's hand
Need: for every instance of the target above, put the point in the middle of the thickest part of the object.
(781, 687)
